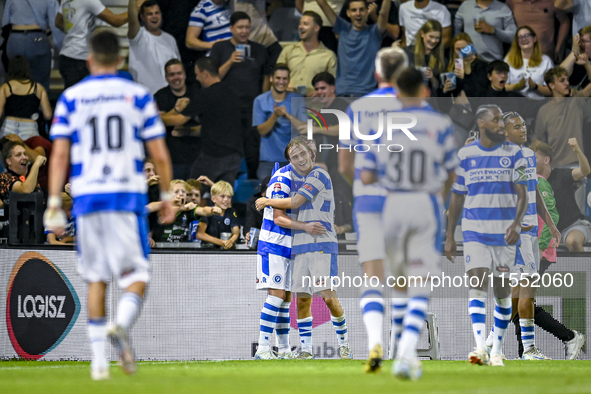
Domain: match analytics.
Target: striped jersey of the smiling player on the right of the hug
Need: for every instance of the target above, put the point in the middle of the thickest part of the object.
(317, 189)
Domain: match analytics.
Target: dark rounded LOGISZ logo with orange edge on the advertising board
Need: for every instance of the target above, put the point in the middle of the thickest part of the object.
(41, 306)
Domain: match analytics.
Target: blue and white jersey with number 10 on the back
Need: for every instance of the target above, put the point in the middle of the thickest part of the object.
(107, 120)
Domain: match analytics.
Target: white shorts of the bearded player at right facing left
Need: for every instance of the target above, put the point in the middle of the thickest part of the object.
(498, 259)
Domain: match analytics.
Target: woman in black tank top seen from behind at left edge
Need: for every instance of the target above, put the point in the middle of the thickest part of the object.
(20, 99)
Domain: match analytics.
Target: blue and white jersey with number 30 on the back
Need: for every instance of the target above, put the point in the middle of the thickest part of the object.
(422, 165)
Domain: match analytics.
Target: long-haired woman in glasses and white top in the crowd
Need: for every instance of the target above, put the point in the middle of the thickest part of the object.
(527, 65)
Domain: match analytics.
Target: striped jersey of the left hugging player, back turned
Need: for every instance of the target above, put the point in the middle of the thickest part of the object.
(274, 239)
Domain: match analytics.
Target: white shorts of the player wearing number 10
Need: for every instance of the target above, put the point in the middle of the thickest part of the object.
(113, 243)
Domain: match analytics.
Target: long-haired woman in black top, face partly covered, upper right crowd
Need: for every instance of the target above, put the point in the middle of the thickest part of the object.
(470, 75)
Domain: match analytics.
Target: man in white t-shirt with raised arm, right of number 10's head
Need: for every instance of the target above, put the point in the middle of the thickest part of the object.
(149, 47)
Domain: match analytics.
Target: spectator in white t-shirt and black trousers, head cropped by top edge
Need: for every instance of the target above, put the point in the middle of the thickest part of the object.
(77, 19)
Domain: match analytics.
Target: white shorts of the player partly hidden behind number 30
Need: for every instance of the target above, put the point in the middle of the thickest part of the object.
(370, 241)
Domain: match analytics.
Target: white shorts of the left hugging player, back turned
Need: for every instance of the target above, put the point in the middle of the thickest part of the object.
(274, 272)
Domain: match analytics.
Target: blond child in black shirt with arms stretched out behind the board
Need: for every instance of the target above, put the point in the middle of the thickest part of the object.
(179, 230)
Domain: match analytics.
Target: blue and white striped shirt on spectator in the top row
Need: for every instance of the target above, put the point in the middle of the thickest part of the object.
(213, 19)
